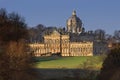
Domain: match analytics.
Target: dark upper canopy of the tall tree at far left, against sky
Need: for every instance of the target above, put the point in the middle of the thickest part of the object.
(12, 26)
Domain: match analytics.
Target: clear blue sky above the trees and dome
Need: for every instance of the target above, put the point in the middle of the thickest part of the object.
(95, 14)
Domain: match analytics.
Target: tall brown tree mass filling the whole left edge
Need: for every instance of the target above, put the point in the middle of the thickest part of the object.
(14, 58)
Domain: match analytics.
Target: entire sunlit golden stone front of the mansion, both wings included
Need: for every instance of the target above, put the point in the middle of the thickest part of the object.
(57, 43)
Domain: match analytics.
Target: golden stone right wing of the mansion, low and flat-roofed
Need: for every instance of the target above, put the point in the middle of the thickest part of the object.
(81, 49)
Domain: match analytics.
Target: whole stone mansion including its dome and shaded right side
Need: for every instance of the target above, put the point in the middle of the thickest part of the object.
(76, 42)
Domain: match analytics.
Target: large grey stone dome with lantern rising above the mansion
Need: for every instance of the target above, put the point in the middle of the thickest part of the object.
(74, 24)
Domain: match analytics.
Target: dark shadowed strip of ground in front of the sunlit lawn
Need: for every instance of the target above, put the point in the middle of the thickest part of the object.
(66, 74)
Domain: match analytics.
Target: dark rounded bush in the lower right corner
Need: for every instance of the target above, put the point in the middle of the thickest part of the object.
(111, 66)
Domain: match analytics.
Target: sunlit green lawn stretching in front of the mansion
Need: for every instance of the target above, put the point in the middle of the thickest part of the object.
(94, 62)
